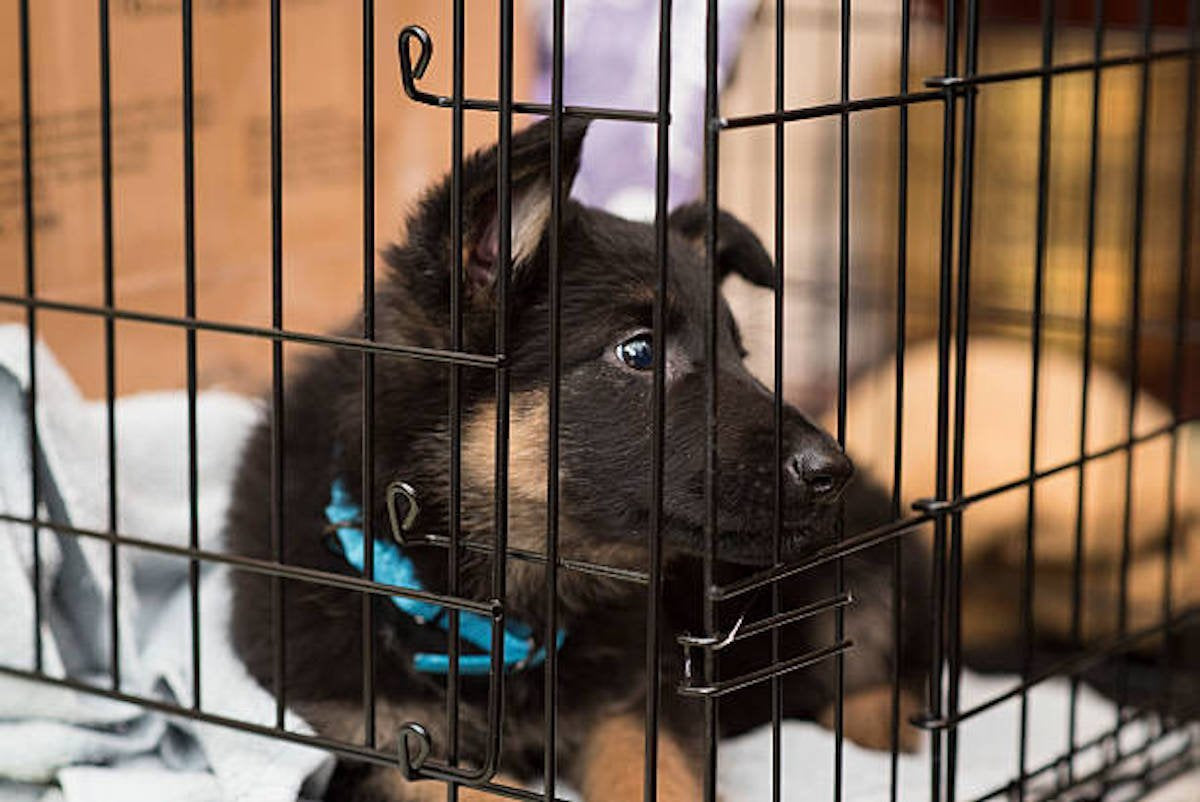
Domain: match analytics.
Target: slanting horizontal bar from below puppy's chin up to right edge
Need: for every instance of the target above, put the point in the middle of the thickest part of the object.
(896, 529)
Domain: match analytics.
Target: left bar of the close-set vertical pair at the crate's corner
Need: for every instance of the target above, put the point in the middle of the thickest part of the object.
(944, 367)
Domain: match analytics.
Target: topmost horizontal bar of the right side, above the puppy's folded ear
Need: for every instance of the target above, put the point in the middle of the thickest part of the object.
(938, 93)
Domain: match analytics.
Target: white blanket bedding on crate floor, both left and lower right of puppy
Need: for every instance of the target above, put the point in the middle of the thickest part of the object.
(62, 745)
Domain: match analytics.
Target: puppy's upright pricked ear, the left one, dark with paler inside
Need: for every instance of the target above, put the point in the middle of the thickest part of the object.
(531, 200)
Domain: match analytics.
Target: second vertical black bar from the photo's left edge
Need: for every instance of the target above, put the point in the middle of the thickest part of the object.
(106, 188)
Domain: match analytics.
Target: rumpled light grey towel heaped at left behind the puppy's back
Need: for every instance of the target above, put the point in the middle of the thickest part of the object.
(93, 749)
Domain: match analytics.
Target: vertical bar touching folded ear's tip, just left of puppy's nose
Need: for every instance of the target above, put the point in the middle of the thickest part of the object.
(777, 687)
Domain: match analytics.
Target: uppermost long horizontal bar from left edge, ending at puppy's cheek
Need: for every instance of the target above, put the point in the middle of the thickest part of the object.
(352, 344)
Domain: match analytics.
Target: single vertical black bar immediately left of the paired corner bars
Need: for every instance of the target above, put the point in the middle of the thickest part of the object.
(898, 414)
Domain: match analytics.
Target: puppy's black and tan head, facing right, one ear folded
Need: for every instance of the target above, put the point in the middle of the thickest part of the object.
(609, 352)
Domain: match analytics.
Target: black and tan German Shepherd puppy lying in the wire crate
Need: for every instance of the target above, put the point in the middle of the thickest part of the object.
(609, 285)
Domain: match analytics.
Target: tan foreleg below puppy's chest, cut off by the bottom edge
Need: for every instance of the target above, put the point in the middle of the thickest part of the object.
(614, 764)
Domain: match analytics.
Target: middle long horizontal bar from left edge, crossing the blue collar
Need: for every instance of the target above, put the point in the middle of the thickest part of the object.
(266, 567)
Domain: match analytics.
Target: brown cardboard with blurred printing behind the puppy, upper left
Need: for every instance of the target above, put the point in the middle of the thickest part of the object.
(322, 147)
